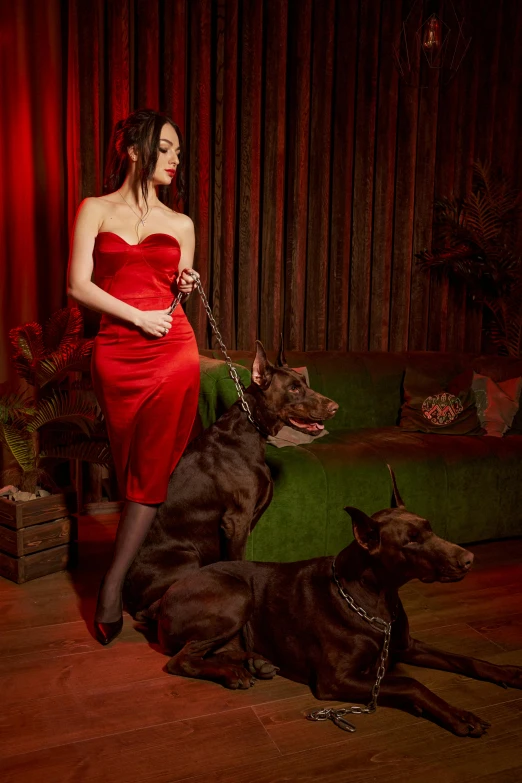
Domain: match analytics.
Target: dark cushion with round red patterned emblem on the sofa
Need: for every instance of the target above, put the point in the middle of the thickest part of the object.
(442, 405)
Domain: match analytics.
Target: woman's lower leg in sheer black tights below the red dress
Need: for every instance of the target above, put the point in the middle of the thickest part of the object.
(134, 524)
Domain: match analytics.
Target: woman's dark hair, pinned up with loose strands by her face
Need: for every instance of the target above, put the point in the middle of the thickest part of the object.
(140, 130)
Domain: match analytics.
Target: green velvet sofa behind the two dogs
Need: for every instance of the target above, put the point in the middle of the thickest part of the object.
(469, 487)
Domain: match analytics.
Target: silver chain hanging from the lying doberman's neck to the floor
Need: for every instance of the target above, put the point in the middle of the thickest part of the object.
(337, 715)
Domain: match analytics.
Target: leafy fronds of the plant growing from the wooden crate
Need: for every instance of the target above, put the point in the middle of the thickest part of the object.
(59, 420)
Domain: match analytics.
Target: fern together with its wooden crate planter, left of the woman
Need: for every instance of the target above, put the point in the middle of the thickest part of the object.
(53, 422)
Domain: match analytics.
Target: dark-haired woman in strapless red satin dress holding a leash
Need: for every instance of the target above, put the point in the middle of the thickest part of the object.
(145, 364)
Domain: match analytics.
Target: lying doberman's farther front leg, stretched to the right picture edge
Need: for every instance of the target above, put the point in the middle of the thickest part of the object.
(420, 654)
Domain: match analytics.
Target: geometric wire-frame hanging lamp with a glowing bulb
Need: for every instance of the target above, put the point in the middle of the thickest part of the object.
(440, 43)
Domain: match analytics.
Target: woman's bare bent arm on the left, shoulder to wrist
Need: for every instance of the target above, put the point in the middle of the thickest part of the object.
(79, 284)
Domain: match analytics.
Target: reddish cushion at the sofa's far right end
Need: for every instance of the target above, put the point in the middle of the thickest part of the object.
(497, 403)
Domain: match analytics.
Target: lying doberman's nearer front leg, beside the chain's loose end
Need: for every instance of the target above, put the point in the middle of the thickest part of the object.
(407, 694)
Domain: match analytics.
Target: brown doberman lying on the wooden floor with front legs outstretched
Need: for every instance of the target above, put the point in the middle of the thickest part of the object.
(231, 622)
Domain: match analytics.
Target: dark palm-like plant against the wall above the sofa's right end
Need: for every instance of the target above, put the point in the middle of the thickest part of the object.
(476, 241)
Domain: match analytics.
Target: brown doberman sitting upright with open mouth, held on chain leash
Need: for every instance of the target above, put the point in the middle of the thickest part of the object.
(222, 485)
